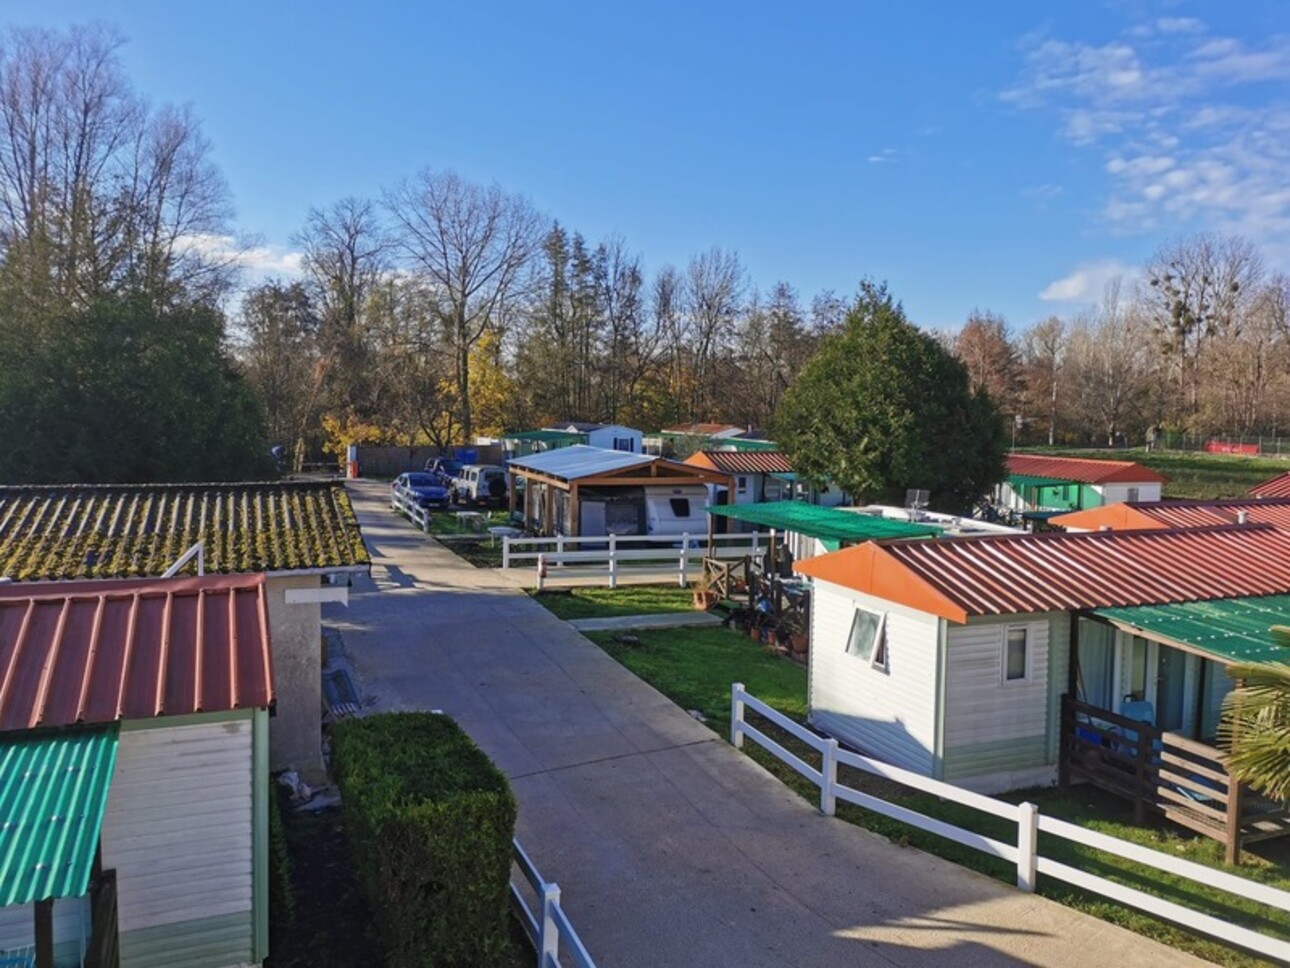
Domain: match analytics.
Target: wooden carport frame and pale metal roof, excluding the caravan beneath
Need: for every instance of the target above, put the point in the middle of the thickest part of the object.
(558, 482)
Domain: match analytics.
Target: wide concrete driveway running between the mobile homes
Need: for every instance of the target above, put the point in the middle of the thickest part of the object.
(671, 847)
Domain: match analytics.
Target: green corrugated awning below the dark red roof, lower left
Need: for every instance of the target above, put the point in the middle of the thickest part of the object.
(54, 791)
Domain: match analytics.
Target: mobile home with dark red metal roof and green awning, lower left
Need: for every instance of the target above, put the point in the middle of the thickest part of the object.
(135, 752)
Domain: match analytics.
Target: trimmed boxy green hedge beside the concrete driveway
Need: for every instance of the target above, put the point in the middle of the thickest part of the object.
(432, 823)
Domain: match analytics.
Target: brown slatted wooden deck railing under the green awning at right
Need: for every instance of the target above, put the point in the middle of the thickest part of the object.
(1167, 774)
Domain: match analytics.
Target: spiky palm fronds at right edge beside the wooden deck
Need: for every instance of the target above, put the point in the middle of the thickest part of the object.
(1257, 725)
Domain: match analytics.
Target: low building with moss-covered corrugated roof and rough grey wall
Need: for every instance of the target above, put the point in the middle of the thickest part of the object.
(303, 536)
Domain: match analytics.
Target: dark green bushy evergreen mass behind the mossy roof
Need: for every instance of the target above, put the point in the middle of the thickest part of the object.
(127, 392)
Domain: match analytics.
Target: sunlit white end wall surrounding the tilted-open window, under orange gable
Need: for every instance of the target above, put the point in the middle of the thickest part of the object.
(889, 714)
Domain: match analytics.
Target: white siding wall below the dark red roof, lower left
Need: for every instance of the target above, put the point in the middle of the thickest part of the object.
(179, 832)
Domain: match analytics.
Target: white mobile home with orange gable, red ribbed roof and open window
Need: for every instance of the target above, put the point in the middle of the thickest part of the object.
(989, 661)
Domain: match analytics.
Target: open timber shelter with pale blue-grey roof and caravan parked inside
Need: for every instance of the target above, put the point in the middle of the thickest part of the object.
(591, 491)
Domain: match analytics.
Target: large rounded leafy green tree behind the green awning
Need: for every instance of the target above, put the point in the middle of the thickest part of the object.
(883, 408)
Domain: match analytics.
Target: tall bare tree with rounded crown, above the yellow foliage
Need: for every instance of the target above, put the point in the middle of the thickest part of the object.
(474, 245)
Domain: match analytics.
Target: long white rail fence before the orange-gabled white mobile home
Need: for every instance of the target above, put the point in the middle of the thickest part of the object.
(1025, 852)
